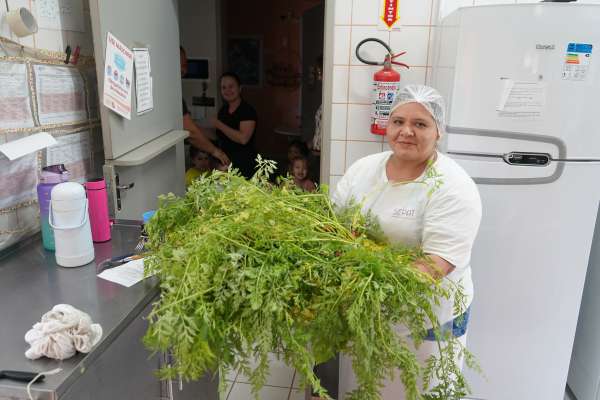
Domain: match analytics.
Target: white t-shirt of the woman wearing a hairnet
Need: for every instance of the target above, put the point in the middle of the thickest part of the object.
(443, 221)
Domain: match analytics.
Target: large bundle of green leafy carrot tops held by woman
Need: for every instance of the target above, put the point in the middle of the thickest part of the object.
(248, 268)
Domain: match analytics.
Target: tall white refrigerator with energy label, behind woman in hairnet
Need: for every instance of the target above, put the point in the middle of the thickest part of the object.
(523, 86)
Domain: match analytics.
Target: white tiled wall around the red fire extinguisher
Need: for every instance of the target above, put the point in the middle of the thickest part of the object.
(356, 20)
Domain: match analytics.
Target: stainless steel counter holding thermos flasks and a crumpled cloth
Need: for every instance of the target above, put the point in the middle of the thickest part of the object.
(31, 284)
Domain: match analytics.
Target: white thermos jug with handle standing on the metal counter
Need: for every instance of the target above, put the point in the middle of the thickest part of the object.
(71, 224)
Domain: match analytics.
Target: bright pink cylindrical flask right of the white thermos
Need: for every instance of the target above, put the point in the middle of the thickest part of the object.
(98, 209)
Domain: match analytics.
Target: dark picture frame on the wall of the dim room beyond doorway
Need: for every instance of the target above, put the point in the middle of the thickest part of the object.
(245, 58)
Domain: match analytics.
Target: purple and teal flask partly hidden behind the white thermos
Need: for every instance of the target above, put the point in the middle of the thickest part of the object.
(51, 176)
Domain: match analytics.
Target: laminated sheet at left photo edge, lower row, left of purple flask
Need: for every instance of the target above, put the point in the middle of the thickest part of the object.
(18, 180)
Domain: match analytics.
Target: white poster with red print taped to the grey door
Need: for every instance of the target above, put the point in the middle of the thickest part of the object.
(118, 74)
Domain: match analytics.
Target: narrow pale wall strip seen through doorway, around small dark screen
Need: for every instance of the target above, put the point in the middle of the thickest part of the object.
(199, 24)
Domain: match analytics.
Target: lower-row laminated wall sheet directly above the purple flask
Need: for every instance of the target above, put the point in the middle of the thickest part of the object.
(74, 152)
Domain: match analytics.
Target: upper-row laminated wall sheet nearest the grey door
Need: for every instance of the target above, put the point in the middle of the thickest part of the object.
(60, 94)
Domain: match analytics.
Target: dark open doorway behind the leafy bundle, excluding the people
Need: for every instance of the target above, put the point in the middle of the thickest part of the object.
(276, 48)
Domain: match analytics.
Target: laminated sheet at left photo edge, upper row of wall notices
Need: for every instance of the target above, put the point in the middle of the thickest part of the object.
(15, 105)
